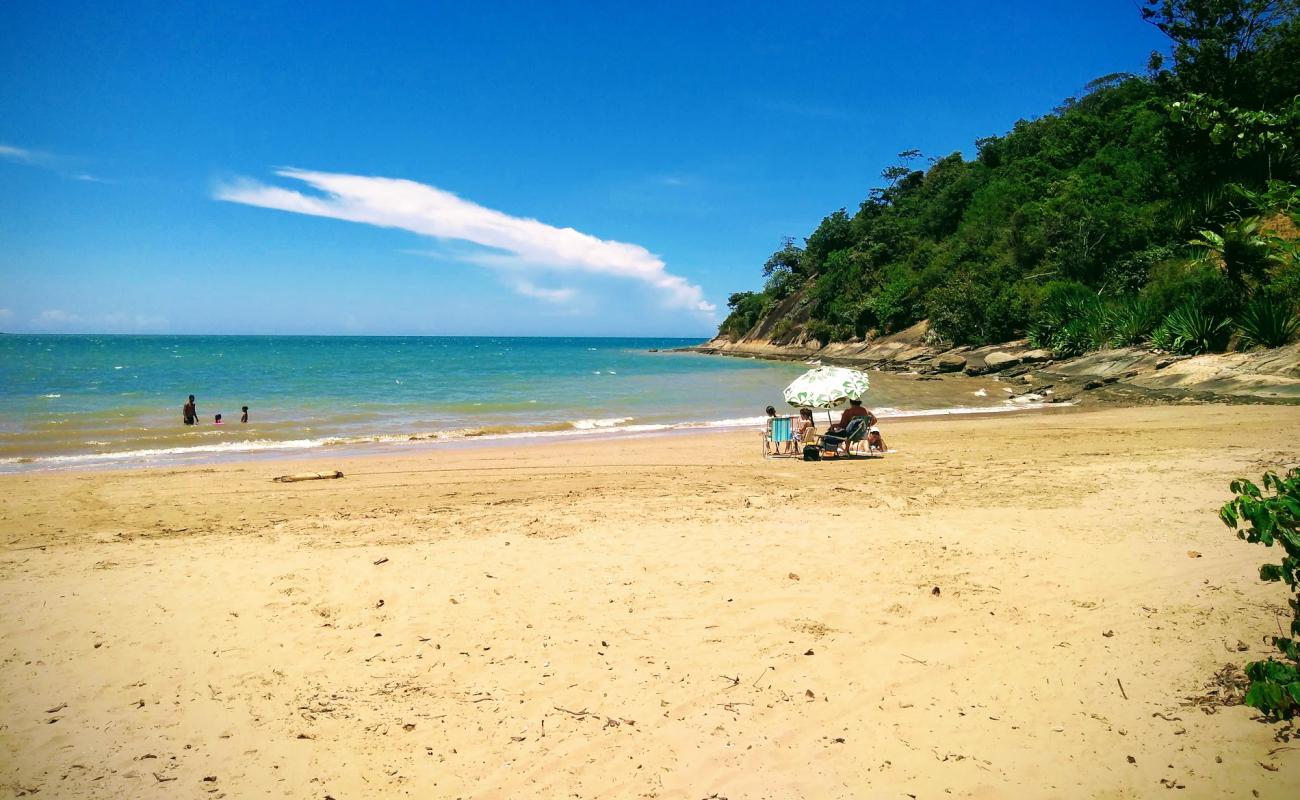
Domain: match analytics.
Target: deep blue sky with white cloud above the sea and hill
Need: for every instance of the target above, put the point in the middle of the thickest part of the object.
(605, 170)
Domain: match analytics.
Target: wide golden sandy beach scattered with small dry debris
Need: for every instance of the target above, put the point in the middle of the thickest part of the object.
(1007, 607)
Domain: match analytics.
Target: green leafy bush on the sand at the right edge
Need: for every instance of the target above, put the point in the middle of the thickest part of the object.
(1272, 517)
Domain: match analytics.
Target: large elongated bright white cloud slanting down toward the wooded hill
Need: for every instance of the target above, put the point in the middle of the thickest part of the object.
(523, 244)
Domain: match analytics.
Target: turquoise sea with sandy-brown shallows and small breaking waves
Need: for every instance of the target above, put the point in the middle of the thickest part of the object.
(68, 401)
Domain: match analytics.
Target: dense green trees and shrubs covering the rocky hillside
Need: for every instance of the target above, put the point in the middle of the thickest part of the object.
(1158, 209)
